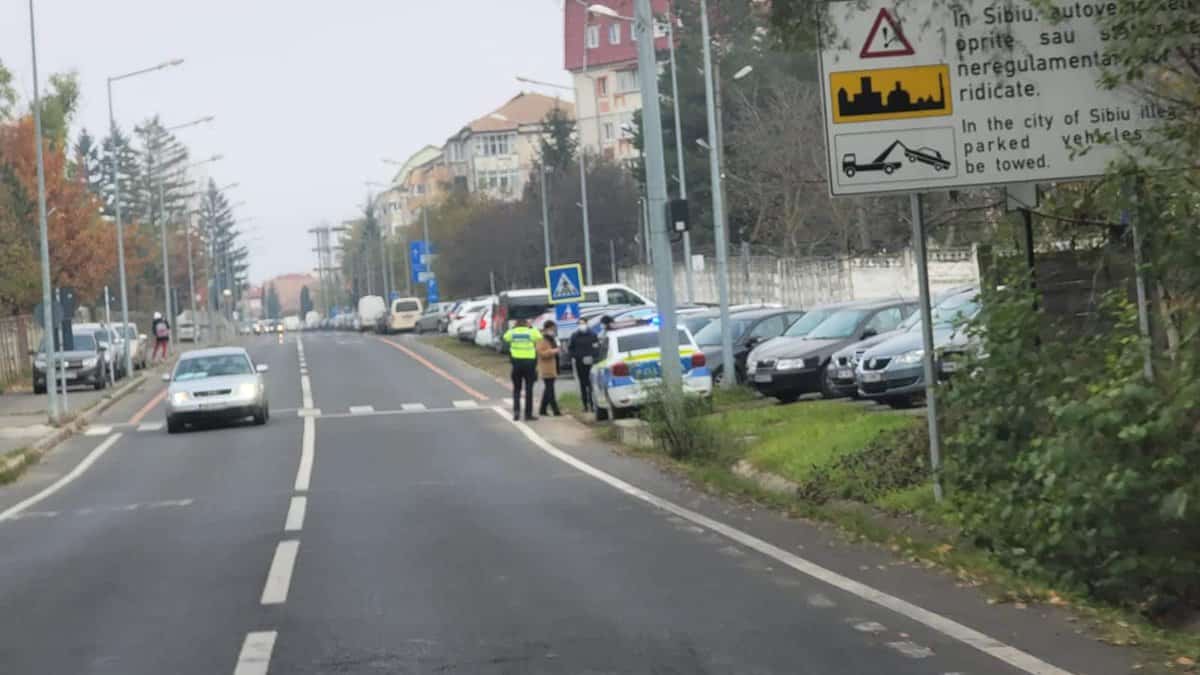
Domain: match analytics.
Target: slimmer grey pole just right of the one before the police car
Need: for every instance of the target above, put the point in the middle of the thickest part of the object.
(715, 164)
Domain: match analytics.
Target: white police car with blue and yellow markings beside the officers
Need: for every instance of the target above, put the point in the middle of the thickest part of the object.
(631, 367)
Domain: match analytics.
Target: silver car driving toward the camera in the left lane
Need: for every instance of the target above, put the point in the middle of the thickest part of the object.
(215, 385)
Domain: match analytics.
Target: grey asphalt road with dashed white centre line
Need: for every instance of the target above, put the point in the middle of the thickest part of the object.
(391, 519)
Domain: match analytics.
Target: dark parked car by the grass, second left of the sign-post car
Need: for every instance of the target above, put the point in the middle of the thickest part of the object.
(788, 369)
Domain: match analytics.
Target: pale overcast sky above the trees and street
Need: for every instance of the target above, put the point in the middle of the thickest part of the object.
(309, 95)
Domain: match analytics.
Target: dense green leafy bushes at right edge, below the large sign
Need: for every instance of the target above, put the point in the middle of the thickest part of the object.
(1063, 457)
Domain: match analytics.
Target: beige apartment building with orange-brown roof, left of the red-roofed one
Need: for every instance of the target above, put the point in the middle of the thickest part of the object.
(495, 154)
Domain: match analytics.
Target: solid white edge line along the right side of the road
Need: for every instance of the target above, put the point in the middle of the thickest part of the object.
(970, 637)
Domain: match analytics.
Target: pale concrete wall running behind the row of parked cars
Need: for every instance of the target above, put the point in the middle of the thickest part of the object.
(808, 283)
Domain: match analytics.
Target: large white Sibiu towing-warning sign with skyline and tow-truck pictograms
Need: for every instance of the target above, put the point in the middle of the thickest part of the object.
(935, 97)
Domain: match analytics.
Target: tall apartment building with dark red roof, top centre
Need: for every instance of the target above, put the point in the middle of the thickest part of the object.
(601, 53)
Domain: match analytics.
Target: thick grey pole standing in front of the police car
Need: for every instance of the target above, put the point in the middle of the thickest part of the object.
(657, 201)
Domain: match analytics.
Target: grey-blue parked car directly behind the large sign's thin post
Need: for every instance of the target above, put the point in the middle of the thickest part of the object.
(893, 372)
